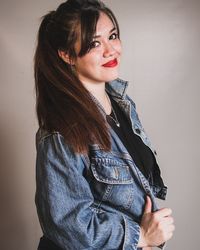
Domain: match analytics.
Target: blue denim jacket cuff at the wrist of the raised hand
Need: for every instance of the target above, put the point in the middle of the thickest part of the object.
(132, 234)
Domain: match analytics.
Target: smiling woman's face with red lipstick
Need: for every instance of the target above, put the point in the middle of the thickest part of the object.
(101, 63)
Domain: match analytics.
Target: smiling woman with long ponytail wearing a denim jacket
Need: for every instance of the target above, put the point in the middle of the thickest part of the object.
(96, 172)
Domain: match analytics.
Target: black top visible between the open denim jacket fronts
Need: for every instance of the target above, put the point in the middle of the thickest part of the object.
(140, 153)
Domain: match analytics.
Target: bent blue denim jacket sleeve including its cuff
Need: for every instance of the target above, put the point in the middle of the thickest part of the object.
(65, 203)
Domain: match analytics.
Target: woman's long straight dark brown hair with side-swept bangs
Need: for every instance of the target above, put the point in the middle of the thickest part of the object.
(63, 104)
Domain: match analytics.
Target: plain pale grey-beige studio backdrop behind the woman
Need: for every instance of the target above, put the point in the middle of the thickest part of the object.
(161, 60)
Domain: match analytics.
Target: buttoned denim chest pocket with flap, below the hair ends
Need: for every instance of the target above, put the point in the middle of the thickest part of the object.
(114, 183)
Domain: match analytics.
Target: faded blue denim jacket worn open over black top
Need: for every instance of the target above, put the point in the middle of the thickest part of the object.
(93, 201)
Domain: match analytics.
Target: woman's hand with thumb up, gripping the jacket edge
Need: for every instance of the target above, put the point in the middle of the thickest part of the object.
(156, 227)
